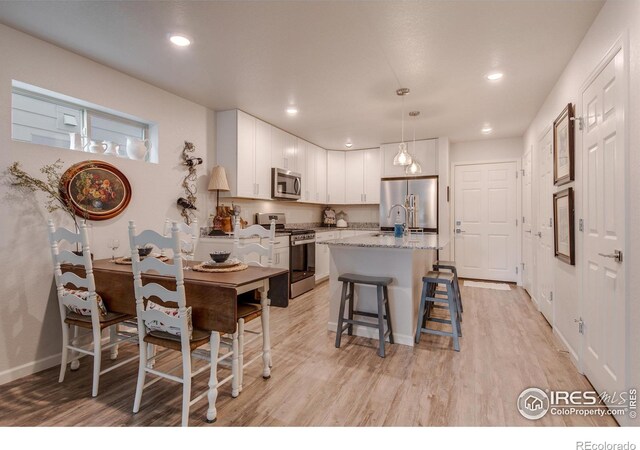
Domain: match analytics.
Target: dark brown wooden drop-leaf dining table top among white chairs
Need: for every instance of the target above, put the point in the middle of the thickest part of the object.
(212, 296)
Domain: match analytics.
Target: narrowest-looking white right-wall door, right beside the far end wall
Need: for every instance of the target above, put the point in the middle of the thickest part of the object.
(527, 223)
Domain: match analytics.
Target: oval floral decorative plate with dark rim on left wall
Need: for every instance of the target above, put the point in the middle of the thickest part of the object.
(95, 189)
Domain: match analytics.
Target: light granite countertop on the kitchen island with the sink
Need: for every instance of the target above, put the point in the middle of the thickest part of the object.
(417, 241)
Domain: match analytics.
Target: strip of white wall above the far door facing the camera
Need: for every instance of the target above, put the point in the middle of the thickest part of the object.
(486, 150)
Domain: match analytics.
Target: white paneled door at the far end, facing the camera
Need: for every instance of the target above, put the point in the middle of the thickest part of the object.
(485, 221)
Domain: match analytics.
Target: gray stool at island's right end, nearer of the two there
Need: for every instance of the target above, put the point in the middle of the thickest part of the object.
(429, 296)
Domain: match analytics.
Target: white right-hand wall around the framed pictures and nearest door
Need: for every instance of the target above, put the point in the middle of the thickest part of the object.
(614, 20)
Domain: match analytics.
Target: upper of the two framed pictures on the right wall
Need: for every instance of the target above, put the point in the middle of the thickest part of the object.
(563, 147)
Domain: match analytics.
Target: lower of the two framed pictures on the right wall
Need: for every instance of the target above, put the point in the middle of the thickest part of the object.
(564, 239)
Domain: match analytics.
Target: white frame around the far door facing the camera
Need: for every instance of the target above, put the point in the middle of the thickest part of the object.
(452, 208)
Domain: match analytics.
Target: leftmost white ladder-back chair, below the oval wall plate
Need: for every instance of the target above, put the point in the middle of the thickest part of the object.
(80, 308)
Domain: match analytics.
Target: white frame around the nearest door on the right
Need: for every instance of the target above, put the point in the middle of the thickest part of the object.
(621, 44)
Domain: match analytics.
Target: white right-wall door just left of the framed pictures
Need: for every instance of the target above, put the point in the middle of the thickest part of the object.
(544, 228)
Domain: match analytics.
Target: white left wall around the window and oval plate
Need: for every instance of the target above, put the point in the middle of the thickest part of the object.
(30, 322)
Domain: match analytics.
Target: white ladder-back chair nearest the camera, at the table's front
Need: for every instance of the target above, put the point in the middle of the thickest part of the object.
(178, 319)
